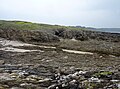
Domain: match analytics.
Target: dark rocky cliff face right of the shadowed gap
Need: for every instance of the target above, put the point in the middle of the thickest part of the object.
(86, 35)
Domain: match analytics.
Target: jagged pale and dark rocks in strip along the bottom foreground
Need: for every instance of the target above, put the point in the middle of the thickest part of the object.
(27, 77)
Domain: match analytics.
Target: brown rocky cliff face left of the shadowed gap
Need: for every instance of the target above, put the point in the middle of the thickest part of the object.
(28, 36)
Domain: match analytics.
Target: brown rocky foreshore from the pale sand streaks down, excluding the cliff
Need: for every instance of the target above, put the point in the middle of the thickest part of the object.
(49, 68)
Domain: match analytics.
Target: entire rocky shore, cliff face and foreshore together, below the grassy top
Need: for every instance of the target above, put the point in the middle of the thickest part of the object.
(59, 59)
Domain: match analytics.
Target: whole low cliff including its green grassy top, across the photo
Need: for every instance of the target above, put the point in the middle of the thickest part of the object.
(32, 32)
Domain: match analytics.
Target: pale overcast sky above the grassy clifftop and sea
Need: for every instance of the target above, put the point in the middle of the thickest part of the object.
(94, 13)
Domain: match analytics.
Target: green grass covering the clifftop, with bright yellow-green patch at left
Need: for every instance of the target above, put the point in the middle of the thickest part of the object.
(22, 25)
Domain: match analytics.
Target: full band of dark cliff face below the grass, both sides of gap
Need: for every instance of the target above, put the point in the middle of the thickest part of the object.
(55, 35)
